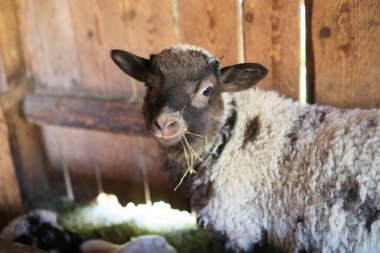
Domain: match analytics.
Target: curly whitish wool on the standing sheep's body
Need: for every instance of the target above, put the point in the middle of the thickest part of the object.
(255, 192)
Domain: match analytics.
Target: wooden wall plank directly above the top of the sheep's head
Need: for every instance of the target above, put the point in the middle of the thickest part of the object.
(212, 25)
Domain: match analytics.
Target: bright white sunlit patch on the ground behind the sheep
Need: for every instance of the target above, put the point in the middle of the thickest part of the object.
(156, 217)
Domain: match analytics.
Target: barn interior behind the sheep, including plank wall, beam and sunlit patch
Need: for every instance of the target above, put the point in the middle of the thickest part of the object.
(72, 134)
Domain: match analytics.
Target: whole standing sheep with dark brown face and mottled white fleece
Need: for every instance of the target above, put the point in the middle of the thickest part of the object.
(304, 178)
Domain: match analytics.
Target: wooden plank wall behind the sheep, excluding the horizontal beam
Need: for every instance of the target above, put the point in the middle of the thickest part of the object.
(62, 47)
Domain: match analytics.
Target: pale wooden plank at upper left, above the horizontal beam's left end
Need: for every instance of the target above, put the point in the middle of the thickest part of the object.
(50, 45)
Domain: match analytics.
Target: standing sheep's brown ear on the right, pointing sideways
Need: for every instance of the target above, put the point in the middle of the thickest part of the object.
(242, 76)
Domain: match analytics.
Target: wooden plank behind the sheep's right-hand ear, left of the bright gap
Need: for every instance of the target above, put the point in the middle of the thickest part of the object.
(272, 38)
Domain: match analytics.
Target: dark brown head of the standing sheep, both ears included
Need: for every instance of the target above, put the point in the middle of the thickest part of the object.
(184, 85)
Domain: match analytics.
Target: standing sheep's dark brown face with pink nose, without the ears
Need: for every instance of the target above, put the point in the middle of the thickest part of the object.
(178, 102)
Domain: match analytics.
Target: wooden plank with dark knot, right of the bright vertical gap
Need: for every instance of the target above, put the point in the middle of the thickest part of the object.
(346, 39)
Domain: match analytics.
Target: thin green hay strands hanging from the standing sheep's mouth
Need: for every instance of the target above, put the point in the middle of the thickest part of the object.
(194, 156)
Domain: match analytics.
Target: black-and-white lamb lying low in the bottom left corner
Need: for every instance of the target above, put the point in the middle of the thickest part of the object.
(40, 229)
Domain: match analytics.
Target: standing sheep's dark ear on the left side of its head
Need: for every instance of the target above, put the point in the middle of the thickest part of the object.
(135, 66)
